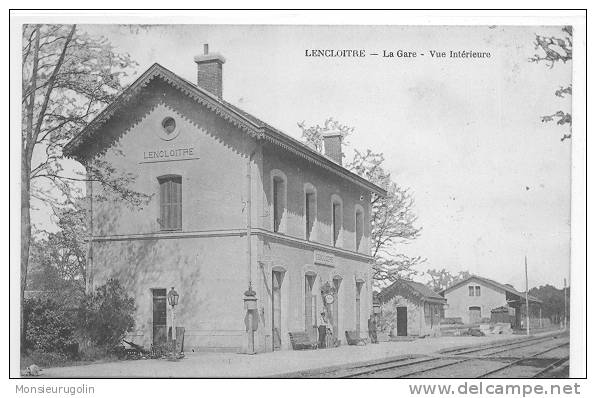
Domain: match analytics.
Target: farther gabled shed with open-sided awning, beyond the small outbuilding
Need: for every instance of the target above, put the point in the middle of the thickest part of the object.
(473, 299)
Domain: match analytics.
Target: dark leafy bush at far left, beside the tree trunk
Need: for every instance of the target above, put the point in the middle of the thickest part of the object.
(48, 327)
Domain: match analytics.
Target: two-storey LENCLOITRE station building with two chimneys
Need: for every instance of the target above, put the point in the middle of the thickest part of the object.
(233, 203)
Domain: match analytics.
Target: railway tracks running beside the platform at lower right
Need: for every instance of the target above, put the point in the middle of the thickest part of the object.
(543, 356)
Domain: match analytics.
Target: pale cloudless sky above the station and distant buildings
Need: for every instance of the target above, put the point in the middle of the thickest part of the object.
(490, 180)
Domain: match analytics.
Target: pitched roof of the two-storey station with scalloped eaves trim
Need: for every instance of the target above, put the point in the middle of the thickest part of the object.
(246, 122)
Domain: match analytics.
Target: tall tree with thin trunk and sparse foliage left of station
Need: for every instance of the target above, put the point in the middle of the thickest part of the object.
(68, 76)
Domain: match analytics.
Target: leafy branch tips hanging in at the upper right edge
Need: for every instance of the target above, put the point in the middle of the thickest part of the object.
(552, 50)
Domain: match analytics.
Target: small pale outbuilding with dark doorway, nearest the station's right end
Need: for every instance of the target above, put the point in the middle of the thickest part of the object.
(414, 309)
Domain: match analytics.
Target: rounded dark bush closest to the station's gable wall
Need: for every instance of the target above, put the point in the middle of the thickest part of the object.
(106, 316)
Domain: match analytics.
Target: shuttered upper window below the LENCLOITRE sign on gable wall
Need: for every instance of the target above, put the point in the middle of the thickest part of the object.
(170, 202)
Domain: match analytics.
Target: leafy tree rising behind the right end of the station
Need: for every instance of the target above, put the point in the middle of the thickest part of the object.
(393, 217)
